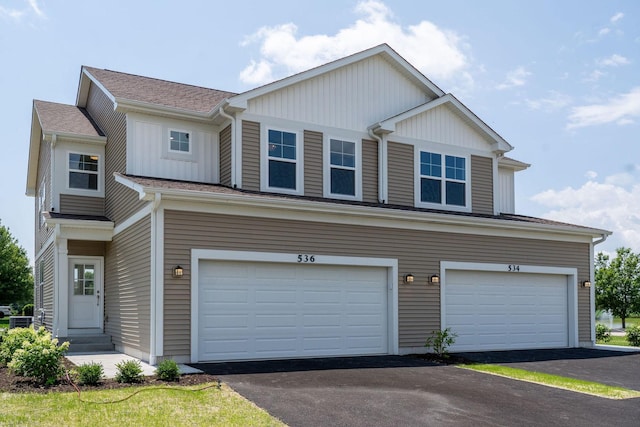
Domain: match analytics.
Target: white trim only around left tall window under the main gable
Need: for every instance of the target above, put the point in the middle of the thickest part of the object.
(264, 161)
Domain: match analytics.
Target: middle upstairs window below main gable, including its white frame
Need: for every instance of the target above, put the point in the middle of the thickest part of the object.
(342, 168)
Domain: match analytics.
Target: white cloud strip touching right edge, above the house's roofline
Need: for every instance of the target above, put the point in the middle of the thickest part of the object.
(621, 109)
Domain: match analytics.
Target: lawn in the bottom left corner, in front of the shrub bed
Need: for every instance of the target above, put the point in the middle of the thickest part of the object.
(154, 406)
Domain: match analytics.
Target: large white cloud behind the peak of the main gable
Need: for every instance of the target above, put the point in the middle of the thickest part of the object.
(435, 52)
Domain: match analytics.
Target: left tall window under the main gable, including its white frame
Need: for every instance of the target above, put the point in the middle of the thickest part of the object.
(282, 162)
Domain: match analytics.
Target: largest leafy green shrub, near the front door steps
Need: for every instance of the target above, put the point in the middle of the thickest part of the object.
(40, 359)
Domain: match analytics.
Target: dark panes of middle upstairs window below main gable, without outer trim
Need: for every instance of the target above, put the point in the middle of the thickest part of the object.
(342, 155)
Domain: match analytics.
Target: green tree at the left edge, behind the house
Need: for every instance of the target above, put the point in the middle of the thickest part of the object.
(16, 280)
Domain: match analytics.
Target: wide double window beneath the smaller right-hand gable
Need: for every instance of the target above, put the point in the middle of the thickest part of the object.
(433, 189)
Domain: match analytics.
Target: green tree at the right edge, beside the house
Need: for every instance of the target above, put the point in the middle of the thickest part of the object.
(618, 283)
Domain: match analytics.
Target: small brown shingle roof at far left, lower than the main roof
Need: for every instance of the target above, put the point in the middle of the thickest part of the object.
(62, 118)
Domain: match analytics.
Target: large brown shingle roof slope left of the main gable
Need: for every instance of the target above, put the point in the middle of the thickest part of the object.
(160, 92)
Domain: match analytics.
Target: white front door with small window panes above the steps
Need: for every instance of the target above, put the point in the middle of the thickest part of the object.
(85, 293)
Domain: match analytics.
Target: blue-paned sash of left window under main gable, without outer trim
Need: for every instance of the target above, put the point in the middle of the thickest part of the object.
(282, 160)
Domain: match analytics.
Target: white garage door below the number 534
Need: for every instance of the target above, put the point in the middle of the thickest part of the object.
(500, 311)
